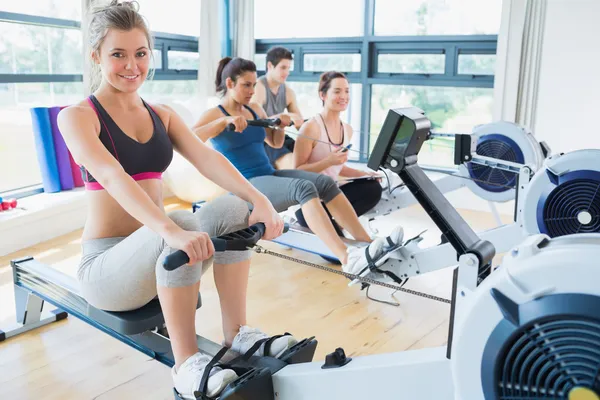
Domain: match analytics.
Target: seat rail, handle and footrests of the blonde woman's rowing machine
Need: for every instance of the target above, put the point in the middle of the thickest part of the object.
(144, 329)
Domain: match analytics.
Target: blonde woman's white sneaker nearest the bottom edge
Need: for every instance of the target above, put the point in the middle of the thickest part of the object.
(189, 375)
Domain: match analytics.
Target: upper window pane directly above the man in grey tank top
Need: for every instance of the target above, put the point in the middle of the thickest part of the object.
(275, 19)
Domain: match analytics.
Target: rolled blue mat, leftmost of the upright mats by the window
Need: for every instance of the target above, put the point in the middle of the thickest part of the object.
(44, 145)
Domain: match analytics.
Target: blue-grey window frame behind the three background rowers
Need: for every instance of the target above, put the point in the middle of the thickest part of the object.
(370, 46)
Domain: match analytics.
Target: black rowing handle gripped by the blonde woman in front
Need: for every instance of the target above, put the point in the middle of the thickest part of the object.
(235, 241)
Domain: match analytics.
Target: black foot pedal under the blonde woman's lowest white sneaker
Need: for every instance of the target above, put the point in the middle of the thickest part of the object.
(255, 384)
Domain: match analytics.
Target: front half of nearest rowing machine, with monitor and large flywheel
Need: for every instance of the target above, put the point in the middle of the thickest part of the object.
(531, 329)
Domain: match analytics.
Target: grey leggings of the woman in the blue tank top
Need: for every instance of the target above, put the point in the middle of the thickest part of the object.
(290, 187)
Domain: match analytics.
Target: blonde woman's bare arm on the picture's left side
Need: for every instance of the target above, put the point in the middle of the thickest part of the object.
(79, 127)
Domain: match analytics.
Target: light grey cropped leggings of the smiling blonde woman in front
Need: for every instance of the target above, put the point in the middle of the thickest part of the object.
(121, 273)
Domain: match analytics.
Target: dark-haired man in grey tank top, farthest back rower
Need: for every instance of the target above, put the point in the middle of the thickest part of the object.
(276, 97)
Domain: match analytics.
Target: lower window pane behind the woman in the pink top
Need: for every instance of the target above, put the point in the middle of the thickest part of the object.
(310, 105)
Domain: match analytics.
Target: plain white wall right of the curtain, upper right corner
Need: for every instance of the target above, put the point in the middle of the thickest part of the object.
(569, 92)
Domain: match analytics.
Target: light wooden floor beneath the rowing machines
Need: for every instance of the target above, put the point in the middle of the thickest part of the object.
(71, 360)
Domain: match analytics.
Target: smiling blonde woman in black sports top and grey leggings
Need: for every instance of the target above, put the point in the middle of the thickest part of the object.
(122, 145)
